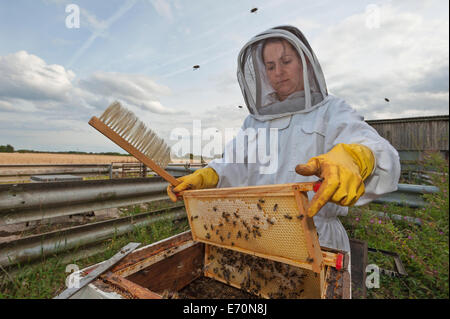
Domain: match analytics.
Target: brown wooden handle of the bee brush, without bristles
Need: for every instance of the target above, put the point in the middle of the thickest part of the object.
(120, 141)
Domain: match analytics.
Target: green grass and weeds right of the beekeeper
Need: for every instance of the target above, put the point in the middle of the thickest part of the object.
(423, 249)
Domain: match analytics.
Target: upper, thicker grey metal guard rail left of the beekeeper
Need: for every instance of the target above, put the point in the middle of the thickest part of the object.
(28, 202)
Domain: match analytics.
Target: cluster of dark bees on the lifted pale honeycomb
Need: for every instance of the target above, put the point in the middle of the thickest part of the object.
(243, 228)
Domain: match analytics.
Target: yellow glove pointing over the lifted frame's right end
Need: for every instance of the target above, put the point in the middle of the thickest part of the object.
(343, 170)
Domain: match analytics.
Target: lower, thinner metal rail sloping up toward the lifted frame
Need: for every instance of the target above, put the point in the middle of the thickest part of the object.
(32, 247)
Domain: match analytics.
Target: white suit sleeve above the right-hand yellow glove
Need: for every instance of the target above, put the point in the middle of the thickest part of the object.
(347, 126)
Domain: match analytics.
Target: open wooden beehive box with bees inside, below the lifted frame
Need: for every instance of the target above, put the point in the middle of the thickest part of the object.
(179, 267)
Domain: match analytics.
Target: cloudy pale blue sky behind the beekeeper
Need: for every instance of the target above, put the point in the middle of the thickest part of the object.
(55, 74)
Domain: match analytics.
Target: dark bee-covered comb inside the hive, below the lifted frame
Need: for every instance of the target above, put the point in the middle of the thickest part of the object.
(257, 275)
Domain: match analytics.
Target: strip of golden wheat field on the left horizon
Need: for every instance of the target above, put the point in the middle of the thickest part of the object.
(49, 158)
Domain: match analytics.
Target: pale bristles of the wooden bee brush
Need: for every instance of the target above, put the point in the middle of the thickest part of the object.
(130, 128)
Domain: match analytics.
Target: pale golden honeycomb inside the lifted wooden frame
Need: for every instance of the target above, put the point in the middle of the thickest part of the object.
(269, 226)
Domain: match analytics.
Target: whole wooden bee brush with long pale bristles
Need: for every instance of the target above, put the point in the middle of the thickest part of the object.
(123, 128)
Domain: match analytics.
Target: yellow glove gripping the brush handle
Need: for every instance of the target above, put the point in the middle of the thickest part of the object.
(201, 178)
